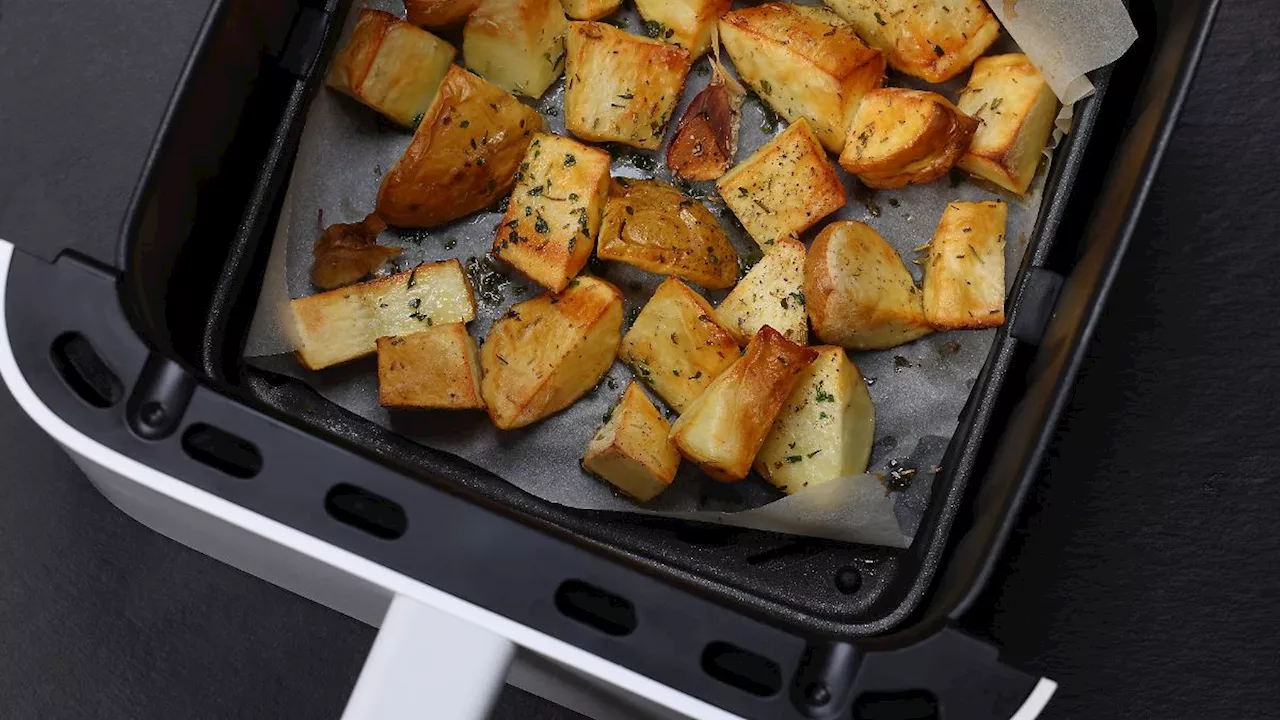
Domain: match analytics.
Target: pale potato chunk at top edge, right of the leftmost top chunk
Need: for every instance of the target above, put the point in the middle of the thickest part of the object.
(519, 45)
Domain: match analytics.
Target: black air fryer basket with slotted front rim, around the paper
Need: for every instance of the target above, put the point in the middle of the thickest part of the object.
(145, 357)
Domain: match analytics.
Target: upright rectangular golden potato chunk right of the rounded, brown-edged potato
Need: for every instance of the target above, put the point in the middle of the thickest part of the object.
(964, 275)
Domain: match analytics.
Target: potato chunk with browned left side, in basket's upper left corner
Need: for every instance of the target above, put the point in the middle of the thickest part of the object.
(391, 66)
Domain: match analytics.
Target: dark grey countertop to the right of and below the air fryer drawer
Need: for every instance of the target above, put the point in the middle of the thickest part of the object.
(1142, 576)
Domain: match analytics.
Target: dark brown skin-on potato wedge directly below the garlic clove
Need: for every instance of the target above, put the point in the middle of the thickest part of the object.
(655, 227)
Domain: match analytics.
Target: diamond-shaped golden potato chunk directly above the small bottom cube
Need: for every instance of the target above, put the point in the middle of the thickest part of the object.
(676, 347)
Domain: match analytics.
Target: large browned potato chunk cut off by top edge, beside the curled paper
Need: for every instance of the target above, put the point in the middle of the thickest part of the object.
(934, 40)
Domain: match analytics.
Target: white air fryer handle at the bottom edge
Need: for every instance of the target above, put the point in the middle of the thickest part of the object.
(429, 664)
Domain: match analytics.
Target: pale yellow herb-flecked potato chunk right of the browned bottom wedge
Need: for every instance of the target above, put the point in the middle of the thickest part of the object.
(826, 427)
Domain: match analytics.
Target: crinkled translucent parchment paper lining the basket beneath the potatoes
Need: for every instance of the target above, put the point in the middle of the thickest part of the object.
(918, 390)
